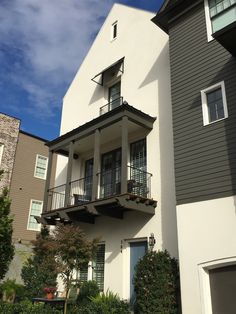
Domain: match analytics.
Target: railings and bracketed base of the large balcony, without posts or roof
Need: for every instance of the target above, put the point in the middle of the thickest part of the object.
(109, 200)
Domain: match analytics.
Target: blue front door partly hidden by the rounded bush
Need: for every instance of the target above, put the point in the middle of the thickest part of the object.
(137, 251)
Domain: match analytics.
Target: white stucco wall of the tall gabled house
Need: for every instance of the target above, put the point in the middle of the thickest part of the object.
(145, 84)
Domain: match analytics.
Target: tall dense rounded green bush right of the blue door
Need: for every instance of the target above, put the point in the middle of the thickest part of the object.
(156, 284)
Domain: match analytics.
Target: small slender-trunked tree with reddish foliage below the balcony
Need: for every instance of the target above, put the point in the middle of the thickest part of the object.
(72, 251)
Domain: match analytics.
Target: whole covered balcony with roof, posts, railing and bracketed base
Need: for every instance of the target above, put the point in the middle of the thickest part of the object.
(113, 186)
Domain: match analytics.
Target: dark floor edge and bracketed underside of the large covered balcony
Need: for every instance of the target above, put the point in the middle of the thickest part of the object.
(111, 207)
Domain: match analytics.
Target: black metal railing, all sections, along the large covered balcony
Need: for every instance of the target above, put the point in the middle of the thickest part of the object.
(109, 184)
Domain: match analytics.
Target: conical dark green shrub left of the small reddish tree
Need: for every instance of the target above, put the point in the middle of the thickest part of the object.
(40, 269)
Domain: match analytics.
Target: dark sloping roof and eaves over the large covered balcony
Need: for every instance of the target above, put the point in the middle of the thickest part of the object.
(136, 116)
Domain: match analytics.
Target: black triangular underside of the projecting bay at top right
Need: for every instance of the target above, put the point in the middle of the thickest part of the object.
(227, 37)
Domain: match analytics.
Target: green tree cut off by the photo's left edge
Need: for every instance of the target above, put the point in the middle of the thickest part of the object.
(6, 229)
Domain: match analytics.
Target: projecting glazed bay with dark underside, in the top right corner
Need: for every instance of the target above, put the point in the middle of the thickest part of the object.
(223, 18)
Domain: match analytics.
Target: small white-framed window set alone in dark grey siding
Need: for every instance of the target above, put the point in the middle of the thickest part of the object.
(214, 104)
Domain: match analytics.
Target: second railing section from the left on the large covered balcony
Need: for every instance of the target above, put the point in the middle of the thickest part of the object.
(81, 191)
